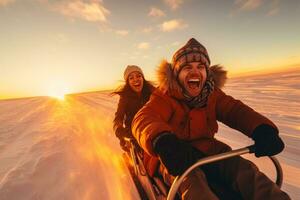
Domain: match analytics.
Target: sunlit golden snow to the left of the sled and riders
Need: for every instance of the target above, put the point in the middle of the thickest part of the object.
(51, 149)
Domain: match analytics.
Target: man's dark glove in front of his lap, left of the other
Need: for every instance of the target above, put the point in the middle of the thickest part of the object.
(176, 155)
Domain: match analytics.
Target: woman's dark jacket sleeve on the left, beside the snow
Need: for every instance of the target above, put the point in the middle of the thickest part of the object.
(119, 129)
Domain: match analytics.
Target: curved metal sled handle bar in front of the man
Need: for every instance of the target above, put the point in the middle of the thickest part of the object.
(250, 149)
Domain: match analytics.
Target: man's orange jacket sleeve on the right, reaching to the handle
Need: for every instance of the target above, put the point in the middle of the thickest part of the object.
(237, 115)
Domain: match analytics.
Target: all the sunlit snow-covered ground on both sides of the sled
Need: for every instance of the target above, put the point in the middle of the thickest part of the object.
(53, 149)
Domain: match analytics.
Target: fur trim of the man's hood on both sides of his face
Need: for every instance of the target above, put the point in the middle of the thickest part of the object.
(168, 83)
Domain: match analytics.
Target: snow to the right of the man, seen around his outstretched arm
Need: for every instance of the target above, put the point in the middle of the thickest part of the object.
(277, 97)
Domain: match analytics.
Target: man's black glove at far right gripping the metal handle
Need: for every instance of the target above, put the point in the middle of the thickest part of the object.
(266, 141)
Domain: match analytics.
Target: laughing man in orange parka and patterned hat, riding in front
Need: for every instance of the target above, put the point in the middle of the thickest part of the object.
(177, 127)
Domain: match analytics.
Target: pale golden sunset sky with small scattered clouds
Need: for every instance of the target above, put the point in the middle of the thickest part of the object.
(50, 47)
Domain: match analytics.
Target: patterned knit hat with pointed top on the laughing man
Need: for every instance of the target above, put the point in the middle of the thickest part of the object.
(192, 51)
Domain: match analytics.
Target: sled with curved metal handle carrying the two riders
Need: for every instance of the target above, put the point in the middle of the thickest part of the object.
(154, 188)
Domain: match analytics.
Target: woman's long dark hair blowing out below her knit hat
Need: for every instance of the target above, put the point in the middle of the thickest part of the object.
(126, 89)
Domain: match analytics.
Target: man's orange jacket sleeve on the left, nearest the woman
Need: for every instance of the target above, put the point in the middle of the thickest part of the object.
(151, 120)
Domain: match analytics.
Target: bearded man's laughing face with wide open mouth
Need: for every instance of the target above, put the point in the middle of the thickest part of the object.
(192, 77)
